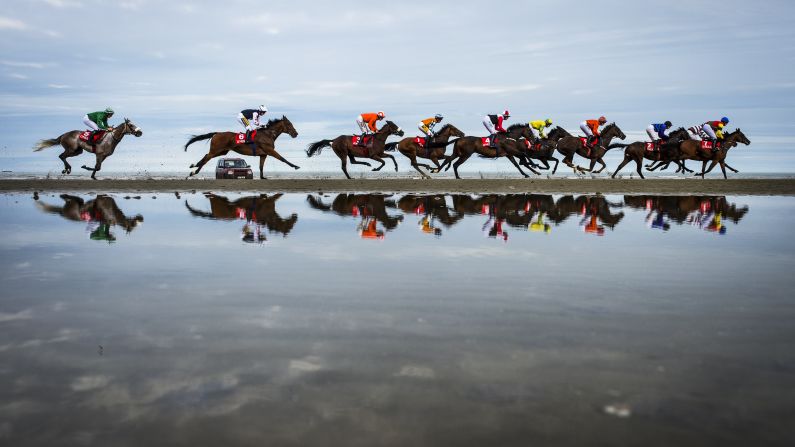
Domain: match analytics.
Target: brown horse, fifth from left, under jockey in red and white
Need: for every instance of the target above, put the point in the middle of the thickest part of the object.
(507, 146)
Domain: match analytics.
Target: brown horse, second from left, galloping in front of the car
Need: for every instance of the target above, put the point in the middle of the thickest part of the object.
(262, 146)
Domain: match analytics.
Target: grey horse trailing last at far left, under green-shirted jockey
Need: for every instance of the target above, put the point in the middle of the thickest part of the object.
(73, 145)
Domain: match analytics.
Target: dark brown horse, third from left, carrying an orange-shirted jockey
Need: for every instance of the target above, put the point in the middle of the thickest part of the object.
(344, 148)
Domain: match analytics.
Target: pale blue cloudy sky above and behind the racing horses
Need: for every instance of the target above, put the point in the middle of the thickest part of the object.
(180, 68)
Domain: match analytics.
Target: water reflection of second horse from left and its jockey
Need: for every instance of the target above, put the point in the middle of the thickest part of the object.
(258, 212)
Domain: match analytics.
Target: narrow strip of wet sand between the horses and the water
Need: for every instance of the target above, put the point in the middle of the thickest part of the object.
(584, 185)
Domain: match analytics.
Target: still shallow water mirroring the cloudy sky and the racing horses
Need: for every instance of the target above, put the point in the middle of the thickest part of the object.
(396, 320)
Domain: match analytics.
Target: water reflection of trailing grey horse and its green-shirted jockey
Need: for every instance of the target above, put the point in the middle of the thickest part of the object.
(100, 213)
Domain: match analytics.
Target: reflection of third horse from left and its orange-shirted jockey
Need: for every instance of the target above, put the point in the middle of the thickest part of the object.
(371, 208)
